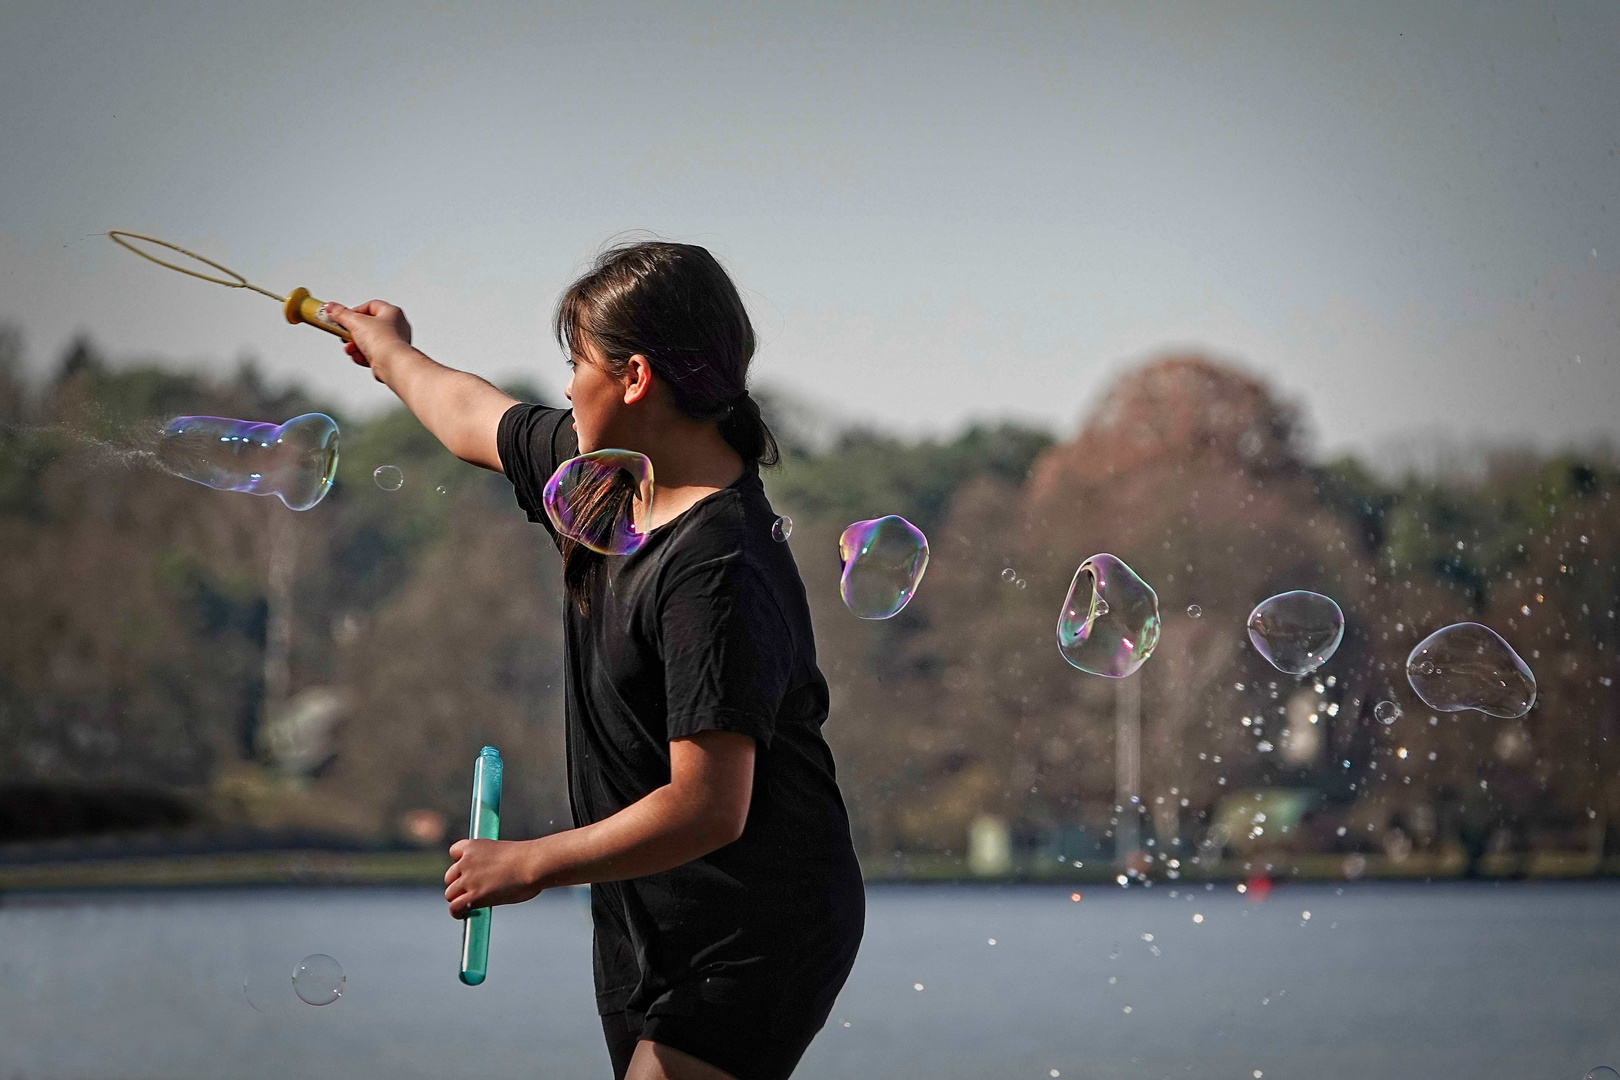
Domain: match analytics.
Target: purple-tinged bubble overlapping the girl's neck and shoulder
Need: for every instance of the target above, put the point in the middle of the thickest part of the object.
(603, 501)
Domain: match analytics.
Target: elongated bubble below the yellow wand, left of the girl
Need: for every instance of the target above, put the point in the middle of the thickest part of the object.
(296, 462)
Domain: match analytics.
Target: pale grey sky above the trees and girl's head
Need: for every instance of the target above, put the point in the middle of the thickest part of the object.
(1405, 215)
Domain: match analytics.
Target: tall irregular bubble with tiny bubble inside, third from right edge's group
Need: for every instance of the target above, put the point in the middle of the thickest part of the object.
(1109, 624)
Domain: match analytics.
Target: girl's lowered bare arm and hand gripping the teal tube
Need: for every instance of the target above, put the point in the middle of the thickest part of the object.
(704, 807)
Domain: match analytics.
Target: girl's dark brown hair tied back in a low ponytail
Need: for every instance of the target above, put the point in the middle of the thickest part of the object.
(676, 307)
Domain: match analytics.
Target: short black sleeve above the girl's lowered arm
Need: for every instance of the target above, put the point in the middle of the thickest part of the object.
(728, 653)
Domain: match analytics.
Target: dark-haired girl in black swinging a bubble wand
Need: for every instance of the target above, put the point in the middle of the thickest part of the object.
(725, 891)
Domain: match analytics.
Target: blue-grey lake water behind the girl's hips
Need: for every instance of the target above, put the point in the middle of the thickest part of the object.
(1381, 982)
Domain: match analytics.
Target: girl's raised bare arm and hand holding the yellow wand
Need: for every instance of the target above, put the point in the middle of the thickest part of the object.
(461, 410)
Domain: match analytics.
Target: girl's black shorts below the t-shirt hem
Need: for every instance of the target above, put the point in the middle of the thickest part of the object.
(756, 1027)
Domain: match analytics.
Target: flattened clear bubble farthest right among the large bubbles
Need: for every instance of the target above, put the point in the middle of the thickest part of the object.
(1469, 666)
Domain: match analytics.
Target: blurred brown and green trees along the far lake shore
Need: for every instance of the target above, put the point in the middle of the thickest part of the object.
(135, 616)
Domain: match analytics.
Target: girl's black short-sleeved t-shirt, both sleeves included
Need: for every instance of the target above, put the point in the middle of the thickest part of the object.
(706, 627)
